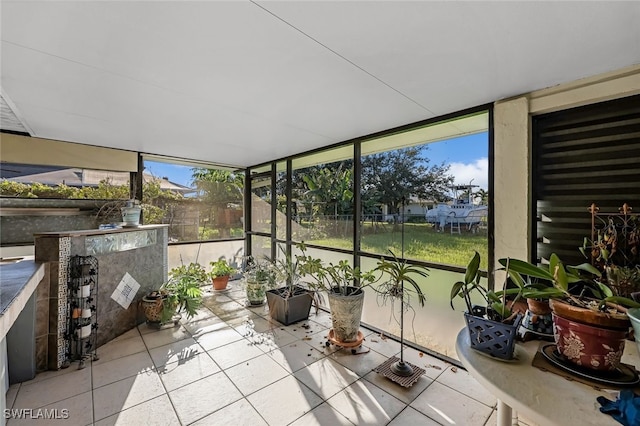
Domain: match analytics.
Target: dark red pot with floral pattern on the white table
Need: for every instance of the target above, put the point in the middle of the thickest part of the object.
(595, 348)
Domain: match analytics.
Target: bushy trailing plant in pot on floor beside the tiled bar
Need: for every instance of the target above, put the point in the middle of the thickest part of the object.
(181, 293)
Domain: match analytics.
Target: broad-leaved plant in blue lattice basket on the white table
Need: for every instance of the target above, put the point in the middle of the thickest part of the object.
(492, 328)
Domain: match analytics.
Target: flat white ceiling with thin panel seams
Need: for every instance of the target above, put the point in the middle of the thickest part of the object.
(241, 82)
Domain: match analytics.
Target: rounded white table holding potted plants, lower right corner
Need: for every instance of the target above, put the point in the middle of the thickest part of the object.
(542, 397)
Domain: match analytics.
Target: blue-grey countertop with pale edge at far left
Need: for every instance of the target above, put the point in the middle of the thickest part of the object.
(18, 281)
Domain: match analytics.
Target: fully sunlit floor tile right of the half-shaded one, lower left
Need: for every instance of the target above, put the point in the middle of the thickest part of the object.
(201, 398)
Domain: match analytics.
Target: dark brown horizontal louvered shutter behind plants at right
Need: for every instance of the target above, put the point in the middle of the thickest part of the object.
(584, 155)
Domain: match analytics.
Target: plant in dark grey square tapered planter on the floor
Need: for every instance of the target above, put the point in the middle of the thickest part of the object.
(291, 302)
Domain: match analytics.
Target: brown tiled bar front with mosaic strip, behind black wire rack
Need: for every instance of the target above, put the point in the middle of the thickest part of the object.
(141, 252)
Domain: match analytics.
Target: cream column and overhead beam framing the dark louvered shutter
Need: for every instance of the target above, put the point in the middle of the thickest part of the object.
(512, 163)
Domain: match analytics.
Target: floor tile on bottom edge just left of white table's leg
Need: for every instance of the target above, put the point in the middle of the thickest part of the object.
(448, 406)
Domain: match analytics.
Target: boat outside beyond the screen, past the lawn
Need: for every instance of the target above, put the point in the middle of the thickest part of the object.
(459, 213)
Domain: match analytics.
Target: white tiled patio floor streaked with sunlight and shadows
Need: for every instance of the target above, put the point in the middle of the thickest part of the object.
(232, 365)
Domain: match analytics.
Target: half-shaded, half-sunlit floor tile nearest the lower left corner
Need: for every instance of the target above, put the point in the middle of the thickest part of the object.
(126, 393)
